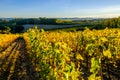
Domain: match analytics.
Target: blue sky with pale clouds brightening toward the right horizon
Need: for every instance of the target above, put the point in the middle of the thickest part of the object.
(59, 8)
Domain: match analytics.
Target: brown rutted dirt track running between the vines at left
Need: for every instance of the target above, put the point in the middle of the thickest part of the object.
(15, 63)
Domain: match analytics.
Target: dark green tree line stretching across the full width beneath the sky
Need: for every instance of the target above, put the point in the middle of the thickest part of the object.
(16, 25)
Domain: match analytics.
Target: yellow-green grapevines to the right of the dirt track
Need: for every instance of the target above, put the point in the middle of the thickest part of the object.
(88, 54)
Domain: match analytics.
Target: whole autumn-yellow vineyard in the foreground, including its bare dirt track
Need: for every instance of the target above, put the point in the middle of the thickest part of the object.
(59, 55)
